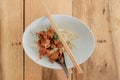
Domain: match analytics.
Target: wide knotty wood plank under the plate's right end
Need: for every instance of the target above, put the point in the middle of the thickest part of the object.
(101, 65)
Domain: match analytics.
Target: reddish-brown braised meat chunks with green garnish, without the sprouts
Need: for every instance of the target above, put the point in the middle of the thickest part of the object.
(49, 45)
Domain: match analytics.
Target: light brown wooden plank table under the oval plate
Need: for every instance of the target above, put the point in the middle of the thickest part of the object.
(102, 16)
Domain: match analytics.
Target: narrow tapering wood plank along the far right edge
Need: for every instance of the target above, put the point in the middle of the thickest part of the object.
(114, 6)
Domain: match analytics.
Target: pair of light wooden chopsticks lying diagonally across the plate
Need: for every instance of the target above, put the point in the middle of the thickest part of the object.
(54, 26)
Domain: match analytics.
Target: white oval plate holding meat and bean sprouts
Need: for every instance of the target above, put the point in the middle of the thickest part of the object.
(85, 42)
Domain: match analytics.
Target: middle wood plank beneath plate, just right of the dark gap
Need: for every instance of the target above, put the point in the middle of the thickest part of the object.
(33, 10)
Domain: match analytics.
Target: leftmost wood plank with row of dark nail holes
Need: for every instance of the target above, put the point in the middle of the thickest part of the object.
(11, 22)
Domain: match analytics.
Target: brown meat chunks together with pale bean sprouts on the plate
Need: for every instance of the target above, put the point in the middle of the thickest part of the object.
(50, 44)
